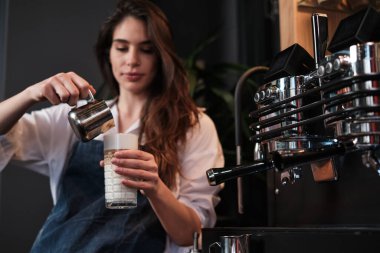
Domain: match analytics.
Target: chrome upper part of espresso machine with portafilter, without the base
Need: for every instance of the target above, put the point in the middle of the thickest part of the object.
(317, 114)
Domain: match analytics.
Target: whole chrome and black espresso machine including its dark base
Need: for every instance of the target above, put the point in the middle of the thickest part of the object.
(316, 133)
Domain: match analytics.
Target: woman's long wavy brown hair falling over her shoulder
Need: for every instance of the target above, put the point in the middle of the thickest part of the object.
(170, 112)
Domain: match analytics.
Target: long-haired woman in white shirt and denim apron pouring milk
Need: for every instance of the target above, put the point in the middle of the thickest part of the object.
(137, 58)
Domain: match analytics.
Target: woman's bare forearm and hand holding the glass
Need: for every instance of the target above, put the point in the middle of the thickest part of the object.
(141, 172)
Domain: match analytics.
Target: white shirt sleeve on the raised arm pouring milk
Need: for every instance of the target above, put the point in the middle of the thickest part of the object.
(39, 141)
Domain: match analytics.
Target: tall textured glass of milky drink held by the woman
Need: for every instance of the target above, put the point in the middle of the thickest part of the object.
(117, 195)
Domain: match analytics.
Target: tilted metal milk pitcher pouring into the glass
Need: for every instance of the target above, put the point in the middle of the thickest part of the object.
(91, 119)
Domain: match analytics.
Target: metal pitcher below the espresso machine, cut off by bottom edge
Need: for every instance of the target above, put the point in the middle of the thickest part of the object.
(232, 244)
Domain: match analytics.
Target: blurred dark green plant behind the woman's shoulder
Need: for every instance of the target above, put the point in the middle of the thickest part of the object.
(210, 87)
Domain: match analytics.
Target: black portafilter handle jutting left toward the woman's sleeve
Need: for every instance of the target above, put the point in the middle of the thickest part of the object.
(217, 176)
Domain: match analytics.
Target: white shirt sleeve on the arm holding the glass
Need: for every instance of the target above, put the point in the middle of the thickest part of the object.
(202, 152)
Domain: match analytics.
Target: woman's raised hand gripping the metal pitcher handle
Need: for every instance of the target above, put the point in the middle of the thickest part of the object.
(61, 88)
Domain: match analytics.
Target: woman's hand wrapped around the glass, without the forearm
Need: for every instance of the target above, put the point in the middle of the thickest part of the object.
(139, 168)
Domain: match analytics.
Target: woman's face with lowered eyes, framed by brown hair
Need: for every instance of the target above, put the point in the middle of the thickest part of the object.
(133, 57)
